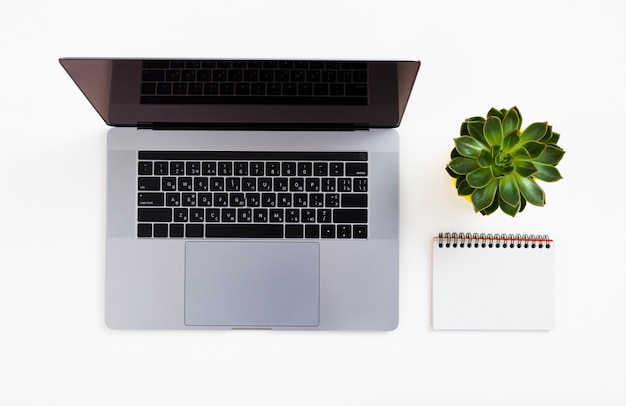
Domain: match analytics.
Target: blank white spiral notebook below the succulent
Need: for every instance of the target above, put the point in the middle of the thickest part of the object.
(493, 282)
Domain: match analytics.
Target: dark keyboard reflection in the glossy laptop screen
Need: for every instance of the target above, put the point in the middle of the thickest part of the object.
(254, 82)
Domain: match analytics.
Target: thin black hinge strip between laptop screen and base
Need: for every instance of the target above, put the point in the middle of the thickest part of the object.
(254, 126)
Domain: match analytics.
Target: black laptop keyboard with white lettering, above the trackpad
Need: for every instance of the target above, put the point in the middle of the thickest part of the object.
(184, 194)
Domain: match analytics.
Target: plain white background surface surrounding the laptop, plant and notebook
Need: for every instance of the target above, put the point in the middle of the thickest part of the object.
(559, 61)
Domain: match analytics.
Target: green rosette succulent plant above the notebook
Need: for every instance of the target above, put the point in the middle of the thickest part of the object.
(497, 164)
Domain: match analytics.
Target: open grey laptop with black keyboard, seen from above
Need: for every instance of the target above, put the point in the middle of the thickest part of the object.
(250, 194)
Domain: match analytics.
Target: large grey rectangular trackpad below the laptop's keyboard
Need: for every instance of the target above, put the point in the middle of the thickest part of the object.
(251, 284)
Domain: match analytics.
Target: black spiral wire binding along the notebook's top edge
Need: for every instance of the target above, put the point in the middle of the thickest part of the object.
(482, 240)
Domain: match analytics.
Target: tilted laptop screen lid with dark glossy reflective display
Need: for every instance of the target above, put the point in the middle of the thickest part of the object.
(222, 94)
